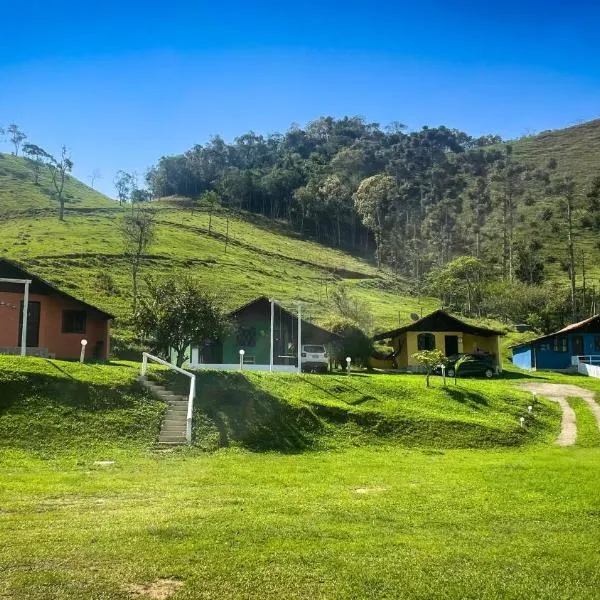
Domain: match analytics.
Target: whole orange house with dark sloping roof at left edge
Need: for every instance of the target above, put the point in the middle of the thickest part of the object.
(56, 321)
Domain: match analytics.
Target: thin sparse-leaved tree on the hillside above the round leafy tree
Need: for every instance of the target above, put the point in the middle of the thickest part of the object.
(138, 233)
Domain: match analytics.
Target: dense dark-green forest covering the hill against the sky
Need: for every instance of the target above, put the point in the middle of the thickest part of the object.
(490, 227)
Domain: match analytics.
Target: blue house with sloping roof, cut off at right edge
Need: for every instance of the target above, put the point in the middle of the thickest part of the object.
(556, 351)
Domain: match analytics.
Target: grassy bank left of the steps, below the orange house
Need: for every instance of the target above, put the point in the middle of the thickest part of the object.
(50, 407)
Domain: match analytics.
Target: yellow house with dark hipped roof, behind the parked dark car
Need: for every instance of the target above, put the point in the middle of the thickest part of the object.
(438, 330)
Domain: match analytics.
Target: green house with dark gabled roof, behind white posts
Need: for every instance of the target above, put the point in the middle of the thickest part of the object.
(251, 332)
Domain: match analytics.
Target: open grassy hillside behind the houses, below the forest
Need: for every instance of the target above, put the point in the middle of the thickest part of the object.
(84, 254)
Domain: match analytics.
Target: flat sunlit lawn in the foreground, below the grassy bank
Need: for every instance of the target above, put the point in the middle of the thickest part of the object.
(454, 524)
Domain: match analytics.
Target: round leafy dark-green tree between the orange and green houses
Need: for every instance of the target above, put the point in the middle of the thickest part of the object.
(177, 313)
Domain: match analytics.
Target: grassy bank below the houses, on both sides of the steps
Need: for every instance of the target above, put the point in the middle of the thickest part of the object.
(55, 406)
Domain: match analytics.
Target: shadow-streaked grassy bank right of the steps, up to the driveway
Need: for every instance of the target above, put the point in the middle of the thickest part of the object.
(290, 412)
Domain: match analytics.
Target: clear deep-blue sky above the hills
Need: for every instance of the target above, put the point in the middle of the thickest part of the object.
(123, 83)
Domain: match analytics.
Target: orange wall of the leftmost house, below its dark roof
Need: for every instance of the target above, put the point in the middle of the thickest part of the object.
(61, 345)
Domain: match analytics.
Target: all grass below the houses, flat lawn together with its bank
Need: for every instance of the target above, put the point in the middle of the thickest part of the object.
(365, 513)
